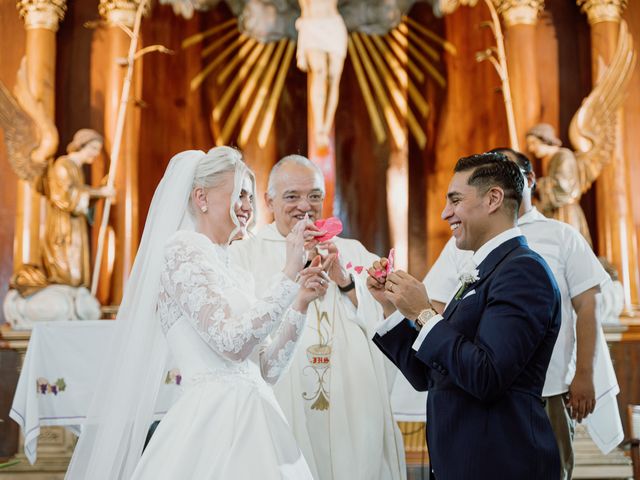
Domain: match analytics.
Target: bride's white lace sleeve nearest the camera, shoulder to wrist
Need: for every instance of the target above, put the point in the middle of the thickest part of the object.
(190, 282)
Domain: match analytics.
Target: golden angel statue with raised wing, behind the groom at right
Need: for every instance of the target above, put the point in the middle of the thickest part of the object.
(592, 133)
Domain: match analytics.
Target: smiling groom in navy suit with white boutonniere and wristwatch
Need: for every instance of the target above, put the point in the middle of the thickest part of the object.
(484, 360)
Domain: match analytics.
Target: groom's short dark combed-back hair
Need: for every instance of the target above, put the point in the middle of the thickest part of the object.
(494, 169)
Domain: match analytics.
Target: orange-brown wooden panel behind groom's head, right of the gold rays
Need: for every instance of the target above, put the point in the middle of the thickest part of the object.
(473, 118)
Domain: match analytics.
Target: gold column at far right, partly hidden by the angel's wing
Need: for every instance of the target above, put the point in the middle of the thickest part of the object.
(616, 231)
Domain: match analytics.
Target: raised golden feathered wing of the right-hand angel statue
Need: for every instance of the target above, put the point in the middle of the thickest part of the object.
(593, 128)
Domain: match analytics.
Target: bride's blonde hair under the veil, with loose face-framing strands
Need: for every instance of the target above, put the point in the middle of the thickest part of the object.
(210, 172)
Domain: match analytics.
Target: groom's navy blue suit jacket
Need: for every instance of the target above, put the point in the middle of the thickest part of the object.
(484, 366)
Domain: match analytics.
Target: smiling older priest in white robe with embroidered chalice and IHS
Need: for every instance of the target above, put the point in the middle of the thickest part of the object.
(335, 394)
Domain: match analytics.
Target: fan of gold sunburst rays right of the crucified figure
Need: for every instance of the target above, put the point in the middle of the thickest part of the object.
(392, 66)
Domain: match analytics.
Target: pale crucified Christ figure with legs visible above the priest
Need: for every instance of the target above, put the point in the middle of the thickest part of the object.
(322, 48)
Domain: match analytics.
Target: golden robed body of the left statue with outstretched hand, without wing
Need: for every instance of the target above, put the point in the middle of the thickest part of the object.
(66, 241)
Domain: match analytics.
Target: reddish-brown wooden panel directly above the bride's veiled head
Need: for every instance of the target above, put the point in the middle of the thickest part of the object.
(173, 118)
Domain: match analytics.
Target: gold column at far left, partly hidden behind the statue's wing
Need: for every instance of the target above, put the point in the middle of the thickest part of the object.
(41, 20)
